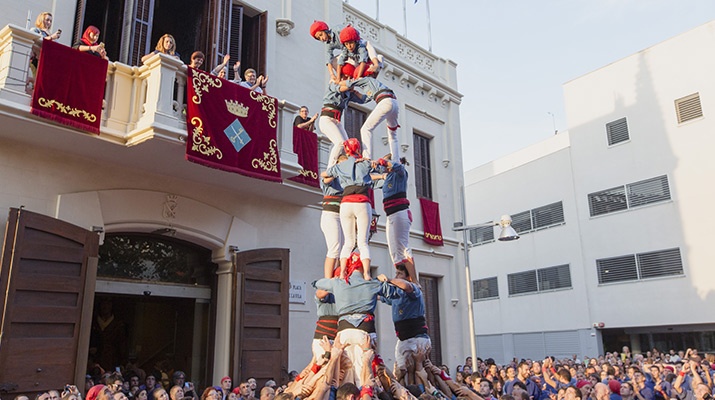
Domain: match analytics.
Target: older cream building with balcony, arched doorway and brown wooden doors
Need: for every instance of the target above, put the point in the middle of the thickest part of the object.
(208, 271)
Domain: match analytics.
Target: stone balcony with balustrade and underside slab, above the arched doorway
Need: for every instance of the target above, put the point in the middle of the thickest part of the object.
(143, 124)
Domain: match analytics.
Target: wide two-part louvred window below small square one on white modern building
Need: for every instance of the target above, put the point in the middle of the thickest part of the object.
(636, 194)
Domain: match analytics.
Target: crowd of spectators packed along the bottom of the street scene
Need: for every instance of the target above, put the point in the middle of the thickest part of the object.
(682, 375)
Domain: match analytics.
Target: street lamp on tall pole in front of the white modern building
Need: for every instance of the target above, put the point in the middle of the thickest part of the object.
(507, 234)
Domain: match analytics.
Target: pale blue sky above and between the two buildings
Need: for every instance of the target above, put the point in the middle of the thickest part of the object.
(513, 56)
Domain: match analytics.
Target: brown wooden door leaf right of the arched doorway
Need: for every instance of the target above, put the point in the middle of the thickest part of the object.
(260, 347)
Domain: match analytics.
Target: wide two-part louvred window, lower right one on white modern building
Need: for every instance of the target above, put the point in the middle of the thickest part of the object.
(635, 267)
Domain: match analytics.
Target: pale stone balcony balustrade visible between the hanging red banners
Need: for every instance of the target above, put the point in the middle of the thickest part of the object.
(141, 103)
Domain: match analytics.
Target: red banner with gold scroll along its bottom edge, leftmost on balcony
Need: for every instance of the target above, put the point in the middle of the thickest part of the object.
(69, 87)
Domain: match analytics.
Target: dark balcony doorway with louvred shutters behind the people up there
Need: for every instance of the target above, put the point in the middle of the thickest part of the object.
(131, 29)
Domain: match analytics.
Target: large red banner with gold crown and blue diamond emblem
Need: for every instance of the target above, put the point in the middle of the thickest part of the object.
(231, 127)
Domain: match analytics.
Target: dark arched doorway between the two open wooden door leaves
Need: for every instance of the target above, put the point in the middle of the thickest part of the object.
(153, 307)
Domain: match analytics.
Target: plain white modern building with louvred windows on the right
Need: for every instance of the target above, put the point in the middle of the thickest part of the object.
(614, 216)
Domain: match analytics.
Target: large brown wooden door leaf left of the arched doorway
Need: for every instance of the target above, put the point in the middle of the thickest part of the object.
(47, 281)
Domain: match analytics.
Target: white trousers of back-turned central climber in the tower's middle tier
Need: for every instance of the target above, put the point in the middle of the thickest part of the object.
(352, 216)
